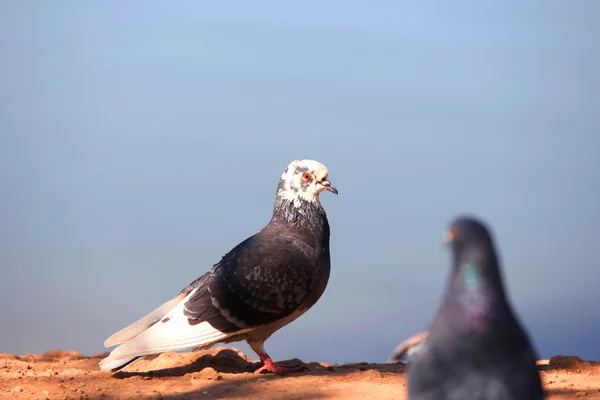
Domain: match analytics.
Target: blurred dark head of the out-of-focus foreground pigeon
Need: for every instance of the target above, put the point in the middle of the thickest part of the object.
(470, 241)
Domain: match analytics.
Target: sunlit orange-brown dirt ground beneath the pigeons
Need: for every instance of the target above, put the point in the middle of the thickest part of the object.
(226, 373)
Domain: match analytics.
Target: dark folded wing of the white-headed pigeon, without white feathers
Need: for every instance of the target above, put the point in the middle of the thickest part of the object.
(262, 280)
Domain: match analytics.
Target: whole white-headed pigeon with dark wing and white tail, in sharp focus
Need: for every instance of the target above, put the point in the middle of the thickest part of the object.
(260, 286)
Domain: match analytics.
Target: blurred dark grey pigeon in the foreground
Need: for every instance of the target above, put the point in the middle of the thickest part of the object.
(476, 347)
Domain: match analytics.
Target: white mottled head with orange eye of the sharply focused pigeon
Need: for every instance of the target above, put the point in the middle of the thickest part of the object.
(303, 180)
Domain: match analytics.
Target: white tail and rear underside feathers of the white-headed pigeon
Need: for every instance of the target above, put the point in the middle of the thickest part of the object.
(171, 333)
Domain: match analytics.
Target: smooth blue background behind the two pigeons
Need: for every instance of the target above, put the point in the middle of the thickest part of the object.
(140, 141)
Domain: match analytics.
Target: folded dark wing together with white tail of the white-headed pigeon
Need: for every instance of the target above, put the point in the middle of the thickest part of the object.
(260, 281)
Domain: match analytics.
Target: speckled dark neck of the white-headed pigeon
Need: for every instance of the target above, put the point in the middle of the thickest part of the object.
(303, 215)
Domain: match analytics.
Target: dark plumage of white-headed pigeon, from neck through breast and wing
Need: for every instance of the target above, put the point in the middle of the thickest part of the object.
(269, 275)
